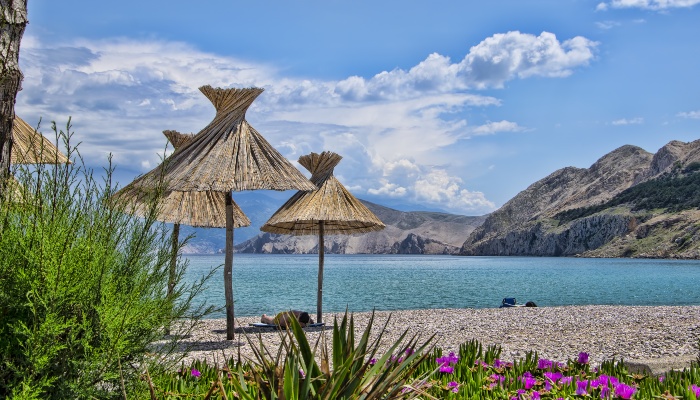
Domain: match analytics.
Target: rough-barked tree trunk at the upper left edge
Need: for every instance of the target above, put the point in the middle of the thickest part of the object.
(13, 20)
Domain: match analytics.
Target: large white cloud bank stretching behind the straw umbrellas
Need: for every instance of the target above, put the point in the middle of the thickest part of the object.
(390, 128)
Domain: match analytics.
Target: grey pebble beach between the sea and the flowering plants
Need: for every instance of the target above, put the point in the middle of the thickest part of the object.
(665, 335)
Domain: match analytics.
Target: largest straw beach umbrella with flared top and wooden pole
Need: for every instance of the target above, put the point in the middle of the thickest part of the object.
(228, 154)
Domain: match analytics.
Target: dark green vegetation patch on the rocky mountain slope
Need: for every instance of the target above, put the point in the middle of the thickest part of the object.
(673, 192)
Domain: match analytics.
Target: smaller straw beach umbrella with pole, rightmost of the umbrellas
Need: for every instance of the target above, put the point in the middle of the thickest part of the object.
(329, 209)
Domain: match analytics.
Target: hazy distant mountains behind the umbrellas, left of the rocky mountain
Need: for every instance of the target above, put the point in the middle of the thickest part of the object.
(414, 232)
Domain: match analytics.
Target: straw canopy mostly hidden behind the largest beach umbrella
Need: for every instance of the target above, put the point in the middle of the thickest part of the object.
(205, 209)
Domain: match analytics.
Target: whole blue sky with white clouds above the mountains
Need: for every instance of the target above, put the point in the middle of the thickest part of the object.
(446, 105)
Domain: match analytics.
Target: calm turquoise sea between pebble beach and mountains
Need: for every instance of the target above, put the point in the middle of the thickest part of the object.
(271, 283)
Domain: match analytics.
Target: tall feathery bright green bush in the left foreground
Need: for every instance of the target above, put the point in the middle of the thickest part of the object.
(82, 285)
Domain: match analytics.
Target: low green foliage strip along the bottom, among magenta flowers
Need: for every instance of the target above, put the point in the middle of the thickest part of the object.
(472, 377)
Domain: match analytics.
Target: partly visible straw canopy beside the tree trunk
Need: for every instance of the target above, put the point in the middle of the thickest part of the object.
(31, 147)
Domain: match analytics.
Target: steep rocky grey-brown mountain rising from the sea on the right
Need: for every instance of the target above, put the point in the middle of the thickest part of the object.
(629, 203)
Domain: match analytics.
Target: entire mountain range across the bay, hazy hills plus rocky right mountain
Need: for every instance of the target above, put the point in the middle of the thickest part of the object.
(629, 203)
